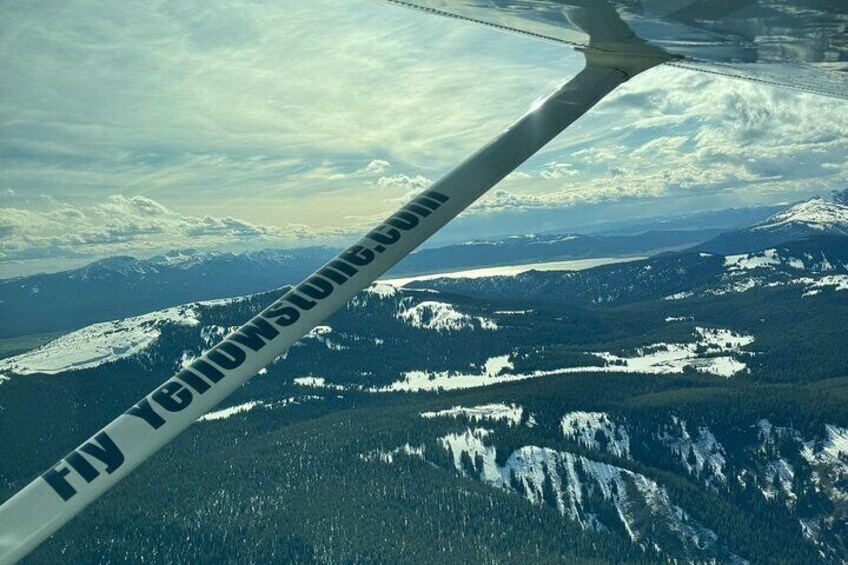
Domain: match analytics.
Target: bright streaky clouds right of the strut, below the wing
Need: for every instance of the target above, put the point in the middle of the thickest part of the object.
(688, 137)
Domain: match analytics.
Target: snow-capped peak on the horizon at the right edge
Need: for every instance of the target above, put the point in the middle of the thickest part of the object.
(817, 216)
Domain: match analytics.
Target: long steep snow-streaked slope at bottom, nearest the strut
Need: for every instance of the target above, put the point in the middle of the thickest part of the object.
(580, 488)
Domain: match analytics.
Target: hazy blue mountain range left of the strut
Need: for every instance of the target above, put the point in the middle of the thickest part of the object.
(124, 286)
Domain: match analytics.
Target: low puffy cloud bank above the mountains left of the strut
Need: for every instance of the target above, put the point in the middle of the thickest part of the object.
(126, 224)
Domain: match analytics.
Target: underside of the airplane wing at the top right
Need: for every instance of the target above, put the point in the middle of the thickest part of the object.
(798, 44)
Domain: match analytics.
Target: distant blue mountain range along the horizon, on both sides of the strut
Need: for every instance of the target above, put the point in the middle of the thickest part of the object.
(124, 286)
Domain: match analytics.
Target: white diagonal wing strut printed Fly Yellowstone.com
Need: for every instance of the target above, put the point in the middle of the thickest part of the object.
(65, 489)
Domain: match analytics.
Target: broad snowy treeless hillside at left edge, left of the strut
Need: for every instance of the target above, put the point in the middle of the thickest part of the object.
(101, 343)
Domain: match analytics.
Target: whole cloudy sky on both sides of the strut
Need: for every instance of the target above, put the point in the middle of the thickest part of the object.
(131, 128)
